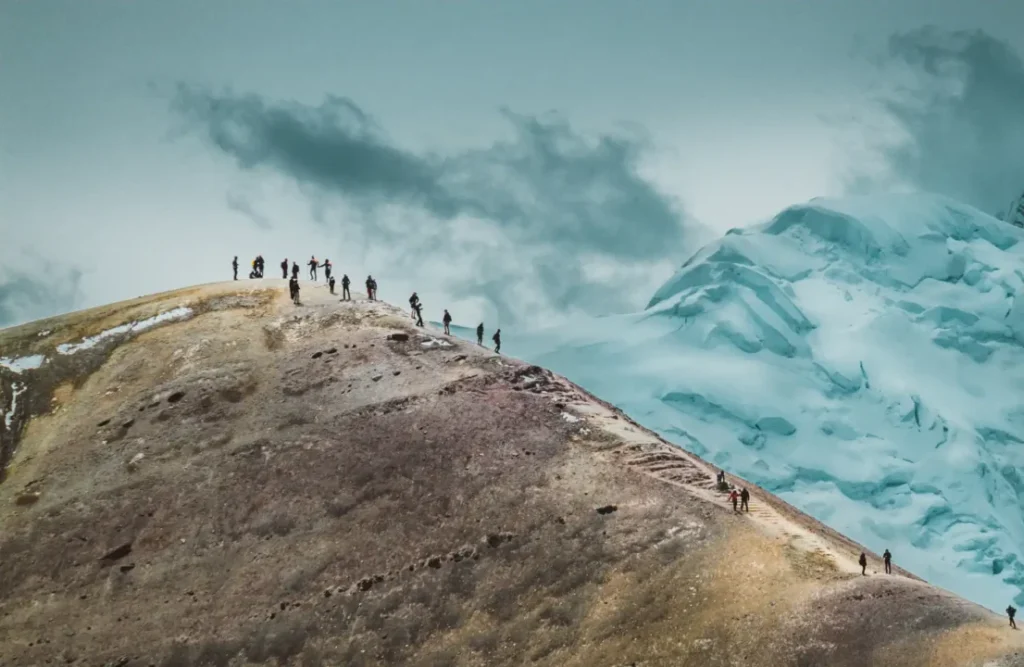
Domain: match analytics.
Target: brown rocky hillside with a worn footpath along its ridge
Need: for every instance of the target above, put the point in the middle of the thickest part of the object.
(257, 483)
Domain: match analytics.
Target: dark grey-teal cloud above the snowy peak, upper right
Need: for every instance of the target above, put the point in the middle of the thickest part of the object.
(962, 116)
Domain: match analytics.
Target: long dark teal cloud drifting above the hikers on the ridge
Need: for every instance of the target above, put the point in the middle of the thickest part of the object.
(548, 219)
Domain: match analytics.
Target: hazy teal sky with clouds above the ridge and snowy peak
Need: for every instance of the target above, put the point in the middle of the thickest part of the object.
(510, 161)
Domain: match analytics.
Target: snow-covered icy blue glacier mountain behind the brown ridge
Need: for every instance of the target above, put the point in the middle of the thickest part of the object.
(863, 358)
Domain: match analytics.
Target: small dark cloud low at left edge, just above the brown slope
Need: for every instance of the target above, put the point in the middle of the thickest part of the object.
(25, 298)
